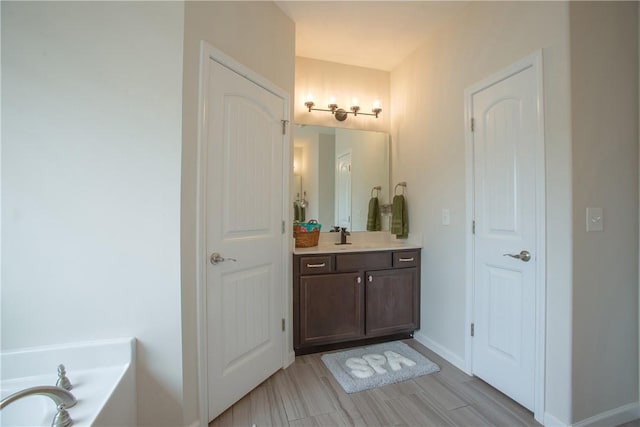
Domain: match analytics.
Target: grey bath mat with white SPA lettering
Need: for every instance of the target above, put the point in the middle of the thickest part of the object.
(364, 368)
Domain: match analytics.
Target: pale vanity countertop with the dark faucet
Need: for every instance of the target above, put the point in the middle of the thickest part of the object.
(359, 242)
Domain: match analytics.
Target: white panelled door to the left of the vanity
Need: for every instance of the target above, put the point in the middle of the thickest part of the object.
(244, 214)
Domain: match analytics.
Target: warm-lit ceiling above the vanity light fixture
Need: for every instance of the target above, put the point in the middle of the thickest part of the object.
(372, 34)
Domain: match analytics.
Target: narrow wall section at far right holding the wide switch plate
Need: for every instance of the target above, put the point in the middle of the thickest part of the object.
(604, 88)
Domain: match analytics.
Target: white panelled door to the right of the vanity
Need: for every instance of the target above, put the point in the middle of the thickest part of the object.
(505, 118)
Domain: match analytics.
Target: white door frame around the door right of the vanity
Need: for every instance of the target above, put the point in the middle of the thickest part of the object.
(533, 61)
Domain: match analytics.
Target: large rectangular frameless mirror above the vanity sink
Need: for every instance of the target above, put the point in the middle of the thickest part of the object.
(336, 172)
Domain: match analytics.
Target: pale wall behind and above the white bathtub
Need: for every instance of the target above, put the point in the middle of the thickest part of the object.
(91, 113)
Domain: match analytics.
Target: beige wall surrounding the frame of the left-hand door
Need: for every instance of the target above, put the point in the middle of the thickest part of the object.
(260, 36)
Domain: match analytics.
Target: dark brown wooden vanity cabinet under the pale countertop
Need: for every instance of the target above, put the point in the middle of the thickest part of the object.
(354, 296)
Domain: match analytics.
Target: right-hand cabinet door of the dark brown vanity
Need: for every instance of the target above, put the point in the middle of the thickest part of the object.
(392, 301)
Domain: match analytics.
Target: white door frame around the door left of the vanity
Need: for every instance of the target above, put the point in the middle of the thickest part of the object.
(208, 52)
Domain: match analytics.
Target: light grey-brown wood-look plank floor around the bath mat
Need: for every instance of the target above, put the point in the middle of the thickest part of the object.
(306, 394)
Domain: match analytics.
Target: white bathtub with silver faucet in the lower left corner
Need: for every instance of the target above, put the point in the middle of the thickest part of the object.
(102, 374)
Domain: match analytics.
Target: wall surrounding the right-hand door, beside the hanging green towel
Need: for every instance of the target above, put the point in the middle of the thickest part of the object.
(427, 130)
